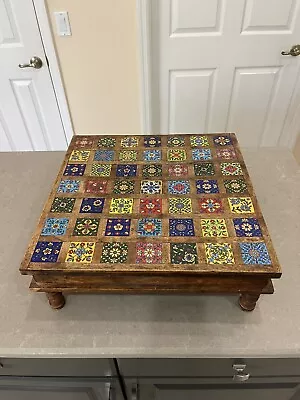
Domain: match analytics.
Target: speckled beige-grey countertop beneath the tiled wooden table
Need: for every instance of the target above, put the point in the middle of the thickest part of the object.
(147, 326)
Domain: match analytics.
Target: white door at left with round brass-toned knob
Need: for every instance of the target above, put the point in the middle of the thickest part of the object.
(29, 114)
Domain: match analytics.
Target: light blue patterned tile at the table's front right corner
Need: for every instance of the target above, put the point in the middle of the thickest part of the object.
(255, 253)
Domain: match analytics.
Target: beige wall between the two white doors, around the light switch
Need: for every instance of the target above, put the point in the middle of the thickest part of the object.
(99, 64)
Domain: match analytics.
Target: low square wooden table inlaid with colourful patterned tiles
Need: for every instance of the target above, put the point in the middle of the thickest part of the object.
(152, 214)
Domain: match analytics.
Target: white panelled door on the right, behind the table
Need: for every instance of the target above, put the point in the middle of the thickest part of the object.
(218, 66)
